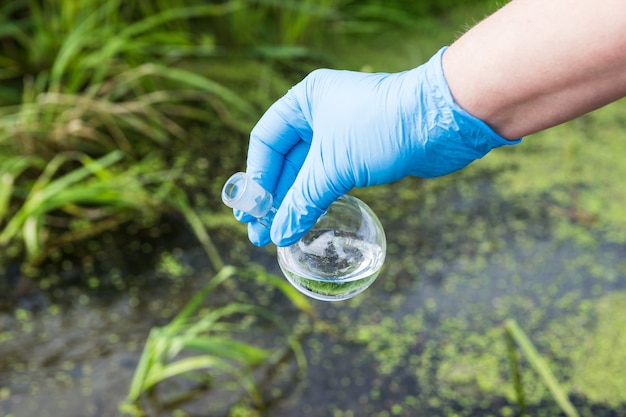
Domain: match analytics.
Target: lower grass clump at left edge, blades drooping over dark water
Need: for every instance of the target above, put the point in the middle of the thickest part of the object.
(86, 200)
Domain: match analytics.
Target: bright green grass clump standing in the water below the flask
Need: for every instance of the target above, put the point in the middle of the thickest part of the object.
(219, 350)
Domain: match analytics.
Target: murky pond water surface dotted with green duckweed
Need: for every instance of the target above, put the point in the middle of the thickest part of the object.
(426, 339)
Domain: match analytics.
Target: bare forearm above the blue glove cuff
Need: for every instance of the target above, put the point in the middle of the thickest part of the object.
(537, 63)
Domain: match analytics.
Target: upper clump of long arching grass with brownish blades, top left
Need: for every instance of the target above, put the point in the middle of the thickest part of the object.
(103, 95)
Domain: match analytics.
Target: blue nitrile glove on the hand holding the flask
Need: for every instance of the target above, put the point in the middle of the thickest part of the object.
(336, 130)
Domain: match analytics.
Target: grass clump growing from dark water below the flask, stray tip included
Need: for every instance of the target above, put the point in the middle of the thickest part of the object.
(200, 343)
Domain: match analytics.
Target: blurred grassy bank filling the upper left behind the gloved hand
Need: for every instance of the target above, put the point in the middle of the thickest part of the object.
(121, 112)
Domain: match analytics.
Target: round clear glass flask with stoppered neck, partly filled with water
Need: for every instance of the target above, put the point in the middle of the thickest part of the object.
(338, 258)
